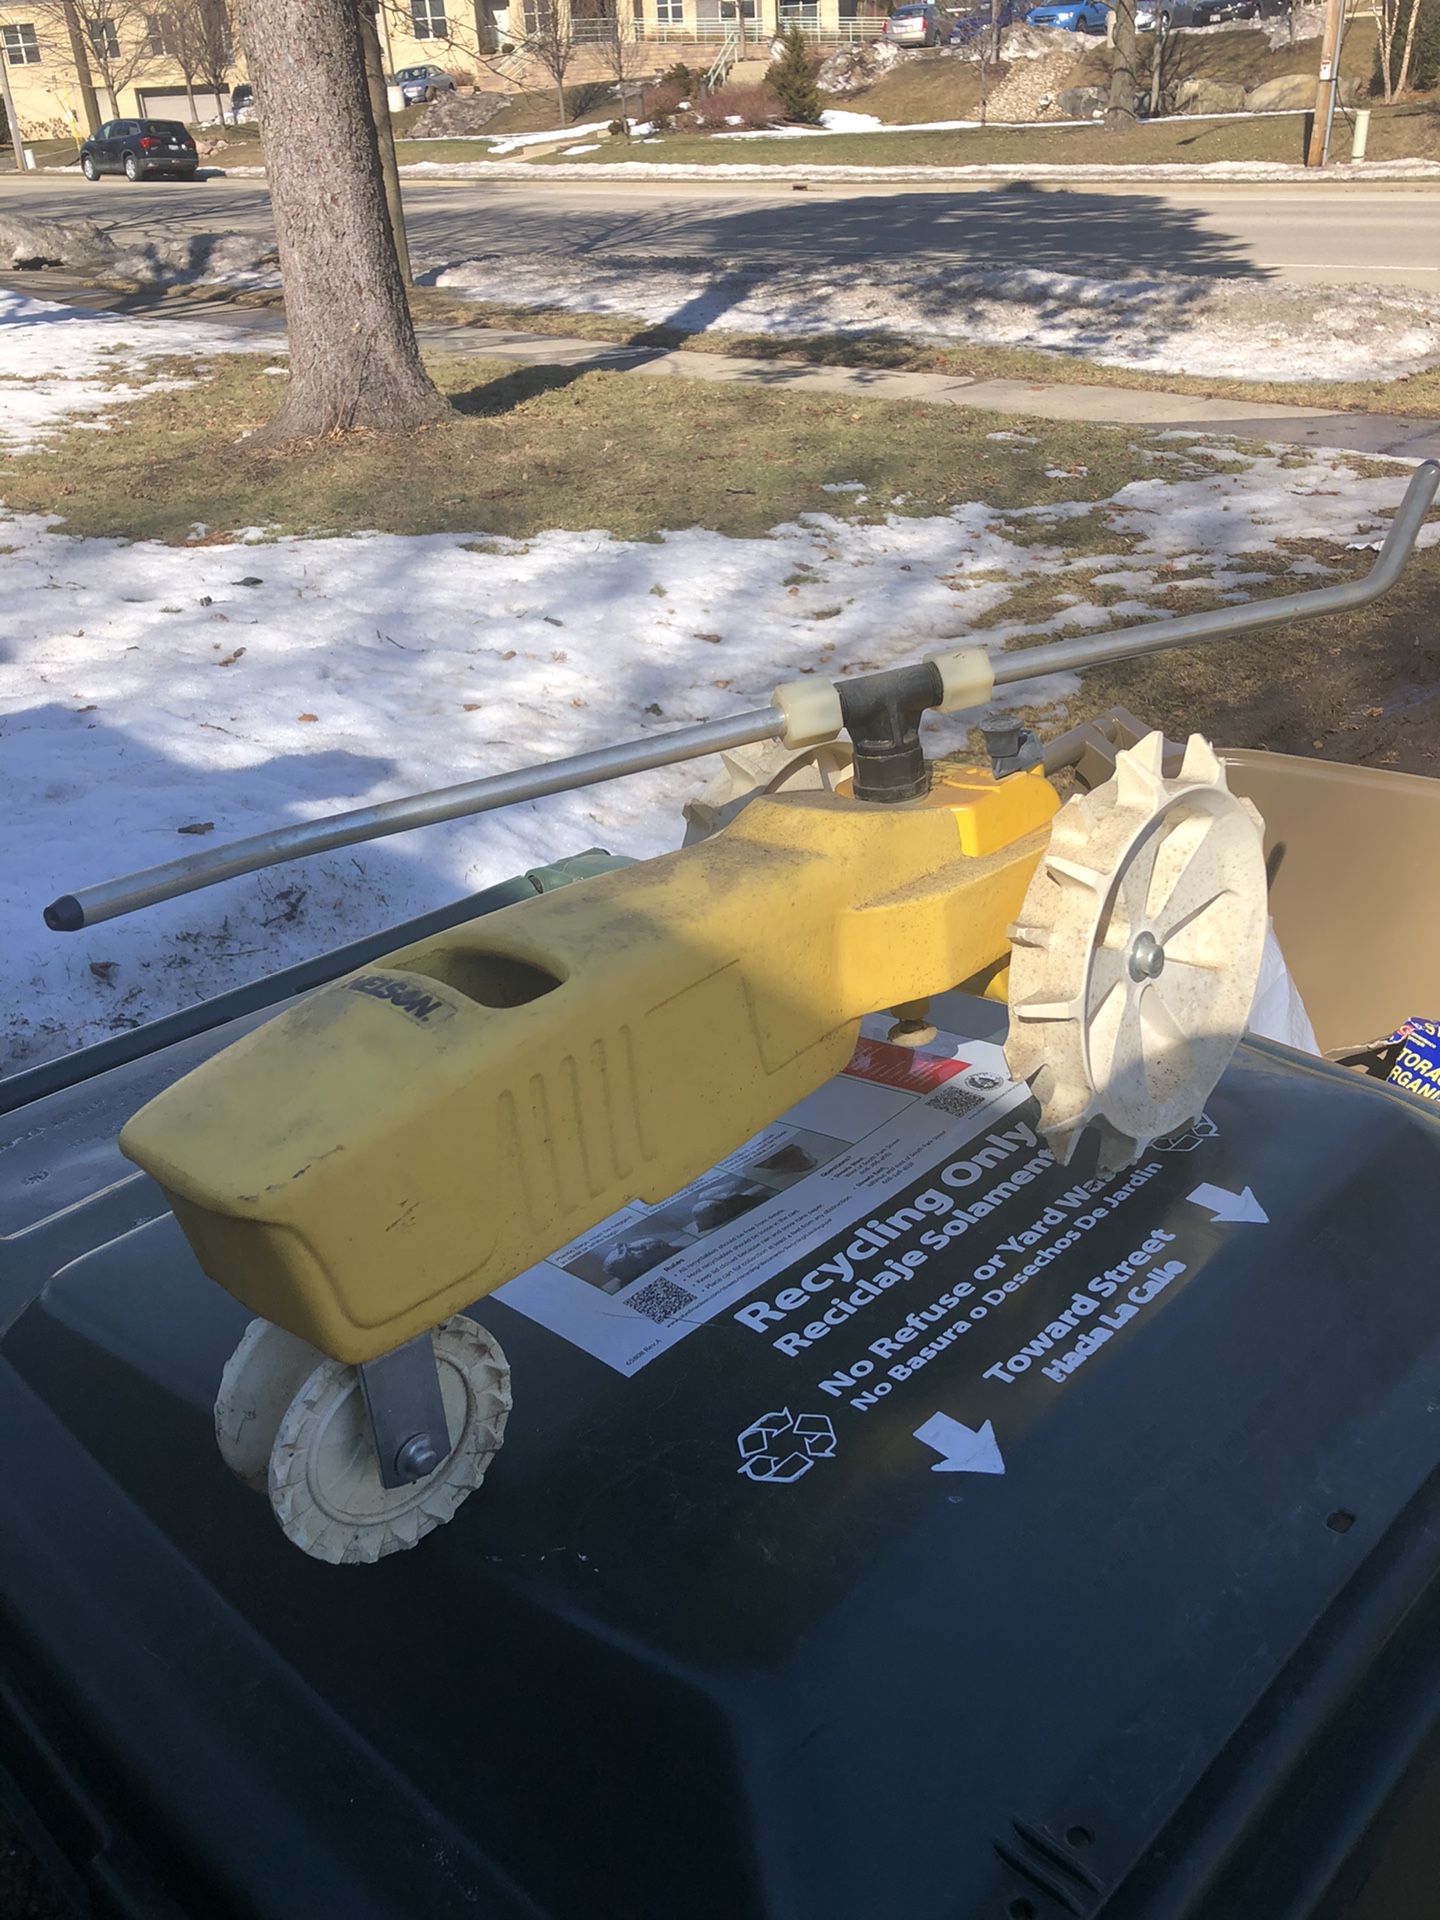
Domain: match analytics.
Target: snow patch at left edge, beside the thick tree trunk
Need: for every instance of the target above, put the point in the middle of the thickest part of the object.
(57, 362)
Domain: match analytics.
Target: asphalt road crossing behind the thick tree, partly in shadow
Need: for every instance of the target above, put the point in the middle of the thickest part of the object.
(1295, 233)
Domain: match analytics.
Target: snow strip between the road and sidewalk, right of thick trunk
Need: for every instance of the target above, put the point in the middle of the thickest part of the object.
(1236, 327)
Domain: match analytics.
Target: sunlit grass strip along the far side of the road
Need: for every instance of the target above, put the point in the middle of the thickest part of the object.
(1397, 133)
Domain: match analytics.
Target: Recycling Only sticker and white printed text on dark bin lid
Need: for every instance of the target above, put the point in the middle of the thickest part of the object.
(903, 1255)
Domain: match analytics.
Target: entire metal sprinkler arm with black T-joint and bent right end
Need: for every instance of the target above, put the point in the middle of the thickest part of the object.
(882, 713)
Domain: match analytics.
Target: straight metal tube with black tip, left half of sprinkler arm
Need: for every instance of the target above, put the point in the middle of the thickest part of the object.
(114, 898)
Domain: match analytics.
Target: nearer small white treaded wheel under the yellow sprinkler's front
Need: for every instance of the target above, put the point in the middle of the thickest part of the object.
(324, 1474)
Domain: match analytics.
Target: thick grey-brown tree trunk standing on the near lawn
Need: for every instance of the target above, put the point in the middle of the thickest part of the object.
(354, 360)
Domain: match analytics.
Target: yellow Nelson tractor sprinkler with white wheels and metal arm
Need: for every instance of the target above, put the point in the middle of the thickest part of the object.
(387, 1153)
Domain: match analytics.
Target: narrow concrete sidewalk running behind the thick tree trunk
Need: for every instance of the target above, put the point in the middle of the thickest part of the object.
(1401, 437)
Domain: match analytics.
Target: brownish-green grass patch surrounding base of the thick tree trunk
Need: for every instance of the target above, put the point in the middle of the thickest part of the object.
(554, 448)
